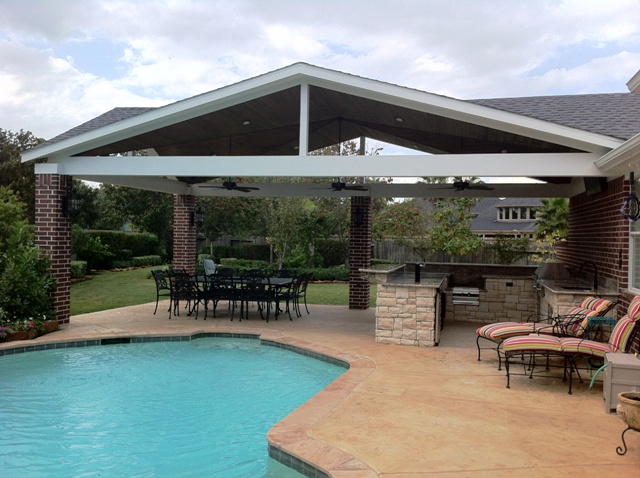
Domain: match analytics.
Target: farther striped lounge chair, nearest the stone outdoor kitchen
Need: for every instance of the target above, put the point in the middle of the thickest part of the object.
(573, 323)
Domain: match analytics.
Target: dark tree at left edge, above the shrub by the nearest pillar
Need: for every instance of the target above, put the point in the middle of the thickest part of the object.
(18, 176)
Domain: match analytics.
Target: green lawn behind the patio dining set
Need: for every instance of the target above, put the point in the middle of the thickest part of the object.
(109, 290)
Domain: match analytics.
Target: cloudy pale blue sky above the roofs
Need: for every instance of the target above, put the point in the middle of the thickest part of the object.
(63, 62)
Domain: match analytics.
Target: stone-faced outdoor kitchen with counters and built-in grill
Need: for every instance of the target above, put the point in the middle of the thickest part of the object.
(415, 300)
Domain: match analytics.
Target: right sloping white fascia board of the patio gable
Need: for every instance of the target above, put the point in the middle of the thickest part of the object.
(465, 111)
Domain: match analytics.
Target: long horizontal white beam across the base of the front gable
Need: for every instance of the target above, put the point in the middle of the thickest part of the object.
(497, 165)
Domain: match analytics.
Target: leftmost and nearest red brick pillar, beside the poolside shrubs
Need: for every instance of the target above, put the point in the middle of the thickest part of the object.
(53, 236)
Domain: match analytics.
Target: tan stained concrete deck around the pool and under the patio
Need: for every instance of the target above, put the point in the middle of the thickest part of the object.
(407, 412)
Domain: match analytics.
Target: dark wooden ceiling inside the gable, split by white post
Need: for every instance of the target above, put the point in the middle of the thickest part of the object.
(273, 128)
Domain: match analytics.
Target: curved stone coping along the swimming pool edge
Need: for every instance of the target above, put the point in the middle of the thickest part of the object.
(289, 441)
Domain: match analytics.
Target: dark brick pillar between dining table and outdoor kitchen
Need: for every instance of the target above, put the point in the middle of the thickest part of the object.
(359, 252)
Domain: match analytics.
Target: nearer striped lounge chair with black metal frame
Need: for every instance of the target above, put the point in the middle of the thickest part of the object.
(573, 348)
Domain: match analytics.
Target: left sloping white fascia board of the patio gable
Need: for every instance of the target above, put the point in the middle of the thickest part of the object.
(167, 115)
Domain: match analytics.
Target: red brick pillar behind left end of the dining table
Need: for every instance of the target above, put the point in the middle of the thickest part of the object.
(184, 232)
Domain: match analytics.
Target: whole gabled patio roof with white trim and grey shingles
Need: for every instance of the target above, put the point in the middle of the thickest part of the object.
(265, 126)
